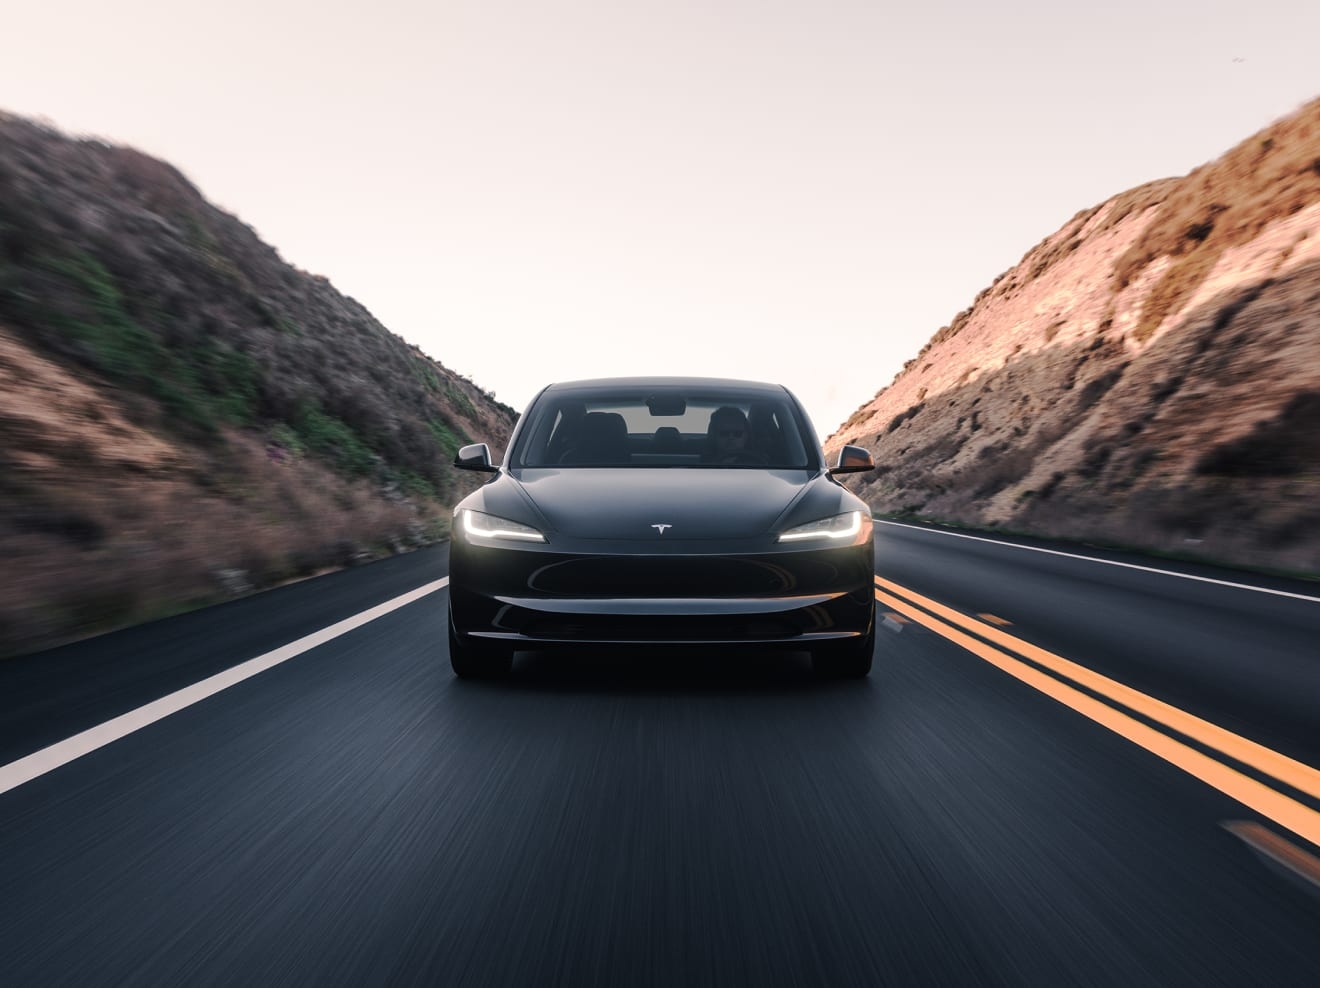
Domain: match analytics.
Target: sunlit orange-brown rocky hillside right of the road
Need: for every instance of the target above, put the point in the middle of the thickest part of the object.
(1148, 376)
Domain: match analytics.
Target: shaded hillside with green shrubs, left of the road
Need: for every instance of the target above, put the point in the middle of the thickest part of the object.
(184, 417)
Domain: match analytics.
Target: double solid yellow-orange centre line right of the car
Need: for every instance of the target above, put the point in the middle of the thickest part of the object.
(995, 645)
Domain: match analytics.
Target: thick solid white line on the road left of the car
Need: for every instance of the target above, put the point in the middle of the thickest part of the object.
(64, 752)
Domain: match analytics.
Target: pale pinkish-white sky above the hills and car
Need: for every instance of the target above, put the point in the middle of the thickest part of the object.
(773, 190)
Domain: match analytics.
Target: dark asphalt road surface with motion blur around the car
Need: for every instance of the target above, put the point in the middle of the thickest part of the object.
(356, 816)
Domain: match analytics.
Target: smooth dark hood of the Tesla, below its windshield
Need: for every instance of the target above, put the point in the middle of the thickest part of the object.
(629, 504)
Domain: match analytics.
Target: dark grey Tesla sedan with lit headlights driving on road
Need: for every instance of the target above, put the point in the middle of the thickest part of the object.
(687, 512)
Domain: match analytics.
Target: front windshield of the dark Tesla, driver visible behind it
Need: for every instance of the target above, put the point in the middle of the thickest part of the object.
(666, 429)
